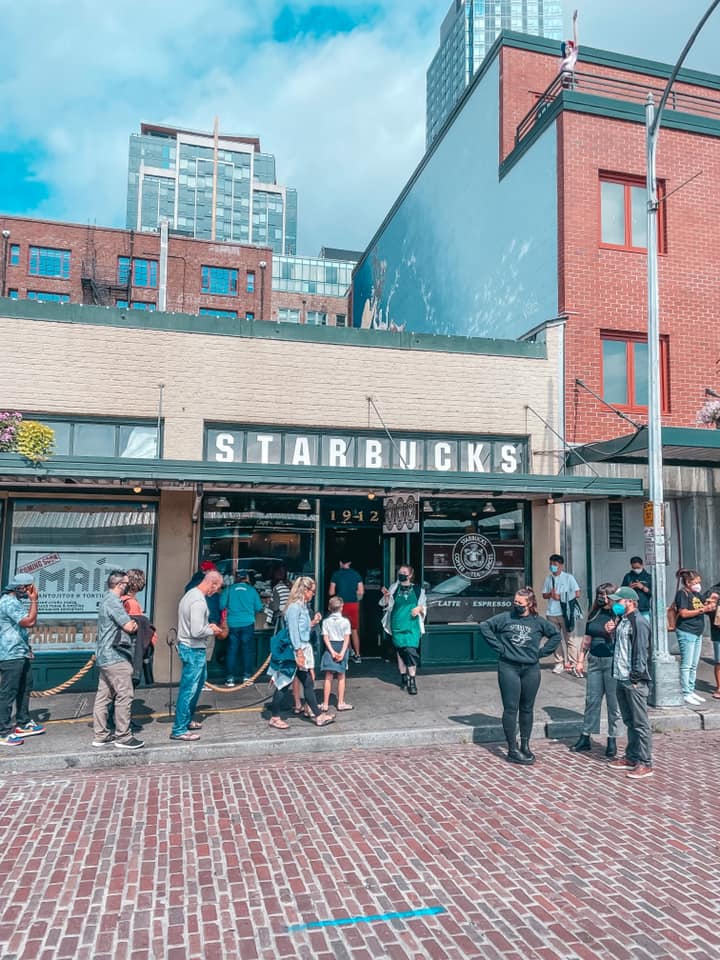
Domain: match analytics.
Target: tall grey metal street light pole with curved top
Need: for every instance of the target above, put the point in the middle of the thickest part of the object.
(666, 690)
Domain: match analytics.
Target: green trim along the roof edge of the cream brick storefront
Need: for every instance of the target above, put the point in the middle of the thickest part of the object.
(265, 330)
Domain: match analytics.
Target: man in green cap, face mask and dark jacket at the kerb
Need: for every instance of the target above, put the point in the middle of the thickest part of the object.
(631, 670)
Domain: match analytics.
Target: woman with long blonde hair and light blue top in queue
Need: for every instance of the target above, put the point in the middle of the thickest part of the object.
(299, 624)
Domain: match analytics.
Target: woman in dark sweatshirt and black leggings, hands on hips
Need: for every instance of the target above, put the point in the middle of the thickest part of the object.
(520, 638)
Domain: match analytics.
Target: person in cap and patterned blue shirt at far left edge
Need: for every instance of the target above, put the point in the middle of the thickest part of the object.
(18, 611)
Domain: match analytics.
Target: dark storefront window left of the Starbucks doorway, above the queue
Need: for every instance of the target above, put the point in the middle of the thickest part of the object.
(266, 535)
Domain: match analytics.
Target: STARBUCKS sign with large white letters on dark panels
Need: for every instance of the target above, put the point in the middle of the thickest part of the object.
(365, 451)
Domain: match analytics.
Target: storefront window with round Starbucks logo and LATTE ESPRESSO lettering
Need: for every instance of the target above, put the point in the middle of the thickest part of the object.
(473, 558)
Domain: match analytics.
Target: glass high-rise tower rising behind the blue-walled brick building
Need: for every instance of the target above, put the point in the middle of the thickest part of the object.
(468, 31)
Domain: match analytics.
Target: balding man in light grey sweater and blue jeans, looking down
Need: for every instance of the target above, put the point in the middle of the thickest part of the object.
(194, 631)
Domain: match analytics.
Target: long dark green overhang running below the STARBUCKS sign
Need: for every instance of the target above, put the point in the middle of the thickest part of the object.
(74, 473)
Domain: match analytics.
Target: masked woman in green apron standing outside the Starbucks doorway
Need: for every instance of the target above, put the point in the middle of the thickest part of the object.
(405, 607)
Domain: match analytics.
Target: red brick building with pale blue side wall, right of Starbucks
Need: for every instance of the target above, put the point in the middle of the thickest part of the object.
(530, 206)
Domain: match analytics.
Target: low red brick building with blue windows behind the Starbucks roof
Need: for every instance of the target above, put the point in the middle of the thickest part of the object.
(69, 263)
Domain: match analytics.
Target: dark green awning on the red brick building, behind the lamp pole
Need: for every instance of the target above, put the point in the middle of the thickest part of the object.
(682, 446)
